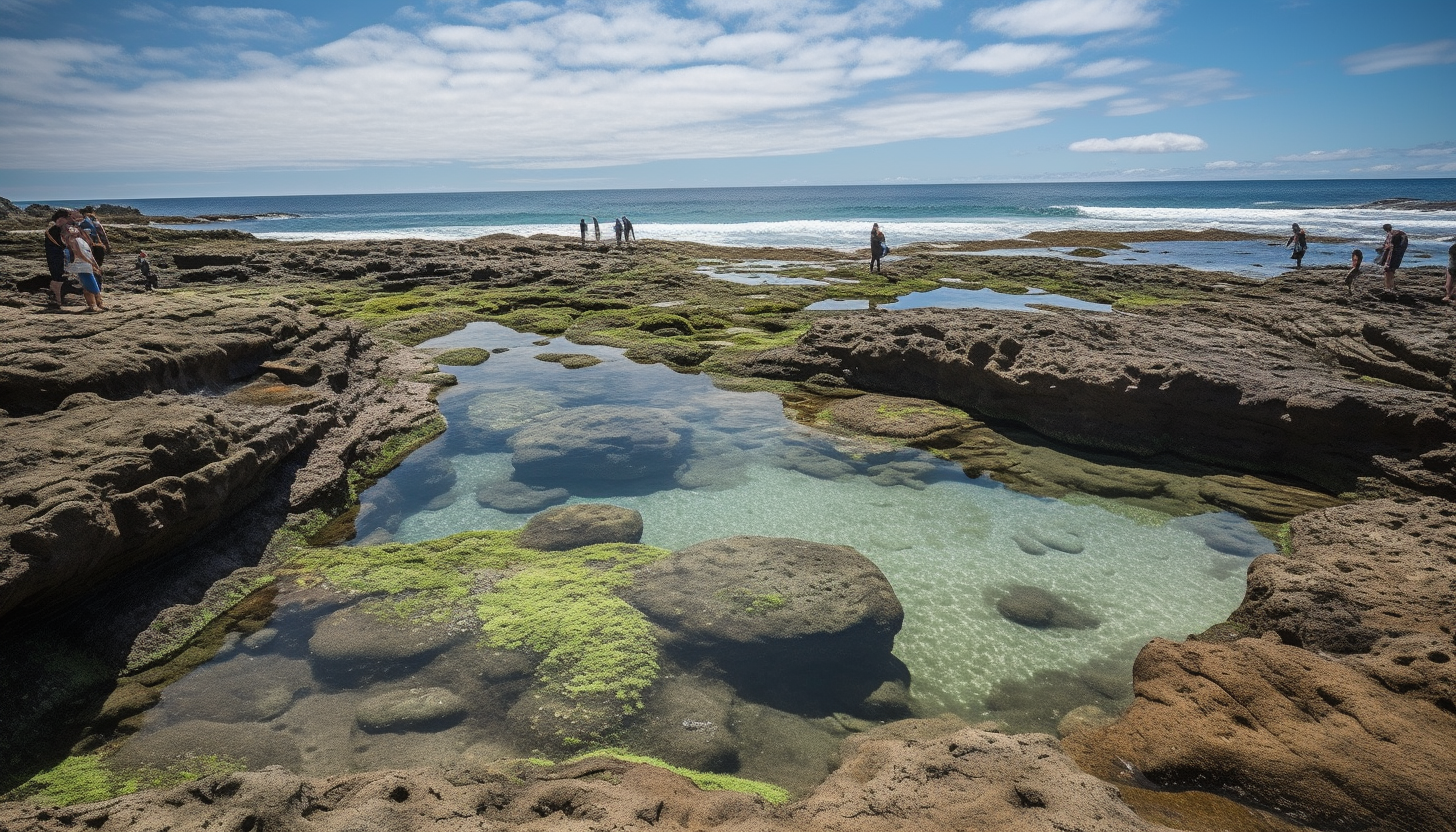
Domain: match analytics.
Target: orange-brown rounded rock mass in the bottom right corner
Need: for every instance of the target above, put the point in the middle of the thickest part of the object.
(1340, 710)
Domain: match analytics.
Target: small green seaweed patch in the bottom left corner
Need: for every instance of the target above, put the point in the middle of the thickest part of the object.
(90, 779)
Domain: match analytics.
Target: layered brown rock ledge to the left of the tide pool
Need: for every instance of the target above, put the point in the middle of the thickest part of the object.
(135, 441)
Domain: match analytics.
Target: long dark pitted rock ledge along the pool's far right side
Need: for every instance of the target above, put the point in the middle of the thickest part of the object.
(1177, 381)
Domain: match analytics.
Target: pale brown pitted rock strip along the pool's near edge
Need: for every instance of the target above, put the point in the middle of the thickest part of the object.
(943, 780)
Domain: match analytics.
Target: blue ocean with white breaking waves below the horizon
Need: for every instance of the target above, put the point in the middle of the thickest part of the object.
(839, 216)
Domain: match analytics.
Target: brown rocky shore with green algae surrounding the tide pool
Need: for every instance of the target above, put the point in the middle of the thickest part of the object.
(162, 458)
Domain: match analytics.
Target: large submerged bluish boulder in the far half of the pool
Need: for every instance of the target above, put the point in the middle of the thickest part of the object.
(601, 444)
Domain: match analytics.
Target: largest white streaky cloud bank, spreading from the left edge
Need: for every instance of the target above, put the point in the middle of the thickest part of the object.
(567, 90)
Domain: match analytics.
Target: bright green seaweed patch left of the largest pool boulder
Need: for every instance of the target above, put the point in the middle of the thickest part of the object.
(598, 652)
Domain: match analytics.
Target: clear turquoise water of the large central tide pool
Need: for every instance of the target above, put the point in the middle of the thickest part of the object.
(947, 544)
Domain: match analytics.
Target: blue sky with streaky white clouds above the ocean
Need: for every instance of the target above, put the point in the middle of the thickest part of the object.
(165, 100)
